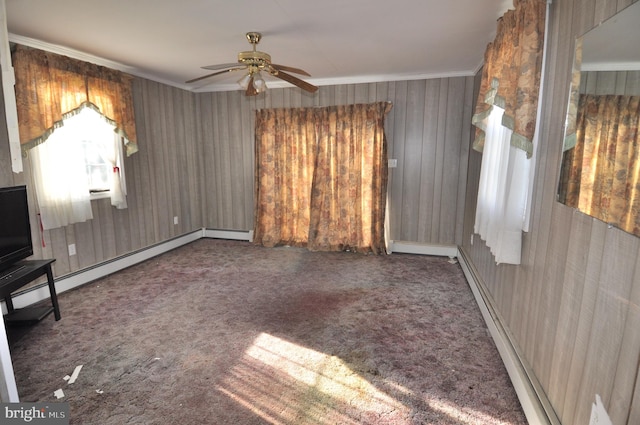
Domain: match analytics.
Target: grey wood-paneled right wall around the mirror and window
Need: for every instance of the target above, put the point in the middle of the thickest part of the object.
(572, 306)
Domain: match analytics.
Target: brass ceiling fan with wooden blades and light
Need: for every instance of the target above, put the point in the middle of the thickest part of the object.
(255, 62)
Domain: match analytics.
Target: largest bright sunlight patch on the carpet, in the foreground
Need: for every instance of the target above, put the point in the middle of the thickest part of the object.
(283, 382)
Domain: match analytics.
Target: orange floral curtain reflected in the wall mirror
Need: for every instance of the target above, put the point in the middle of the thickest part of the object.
(601, 174)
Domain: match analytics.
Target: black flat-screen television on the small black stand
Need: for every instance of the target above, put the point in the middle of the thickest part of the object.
(15, 228)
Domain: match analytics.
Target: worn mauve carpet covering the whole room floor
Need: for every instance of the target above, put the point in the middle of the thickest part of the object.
(227, 332)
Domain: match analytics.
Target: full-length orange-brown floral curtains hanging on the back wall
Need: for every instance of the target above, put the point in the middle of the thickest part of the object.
(321, 177)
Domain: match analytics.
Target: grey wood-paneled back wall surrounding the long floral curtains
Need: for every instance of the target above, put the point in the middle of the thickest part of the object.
(426, 131)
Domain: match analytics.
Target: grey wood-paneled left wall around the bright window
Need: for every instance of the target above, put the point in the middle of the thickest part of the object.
(163, 181)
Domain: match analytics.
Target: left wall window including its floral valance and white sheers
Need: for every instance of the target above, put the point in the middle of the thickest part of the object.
(74, 118)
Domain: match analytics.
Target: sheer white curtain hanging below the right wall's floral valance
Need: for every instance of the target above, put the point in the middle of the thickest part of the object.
(502, 192)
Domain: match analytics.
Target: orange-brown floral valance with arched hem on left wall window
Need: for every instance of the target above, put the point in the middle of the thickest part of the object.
(50, 86)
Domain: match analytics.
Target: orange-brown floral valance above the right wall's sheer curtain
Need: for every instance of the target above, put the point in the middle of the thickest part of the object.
(511, 74)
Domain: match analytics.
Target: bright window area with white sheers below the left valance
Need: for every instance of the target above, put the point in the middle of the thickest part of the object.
(81, 160)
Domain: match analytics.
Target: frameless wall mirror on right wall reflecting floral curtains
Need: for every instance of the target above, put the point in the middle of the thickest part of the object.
(600, 170)
